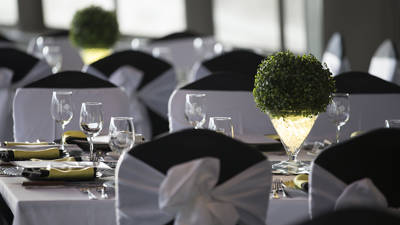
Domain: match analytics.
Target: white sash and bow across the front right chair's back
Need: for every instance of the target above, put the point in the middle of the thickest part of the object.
(329, 193)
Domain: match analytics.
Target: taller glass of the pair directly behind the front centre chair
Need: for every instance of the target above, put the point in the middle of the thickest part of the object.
(195, 111)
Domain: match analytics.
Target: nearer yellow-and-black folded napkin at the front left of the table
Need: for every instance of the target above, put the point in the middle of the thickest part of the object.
(88, 173)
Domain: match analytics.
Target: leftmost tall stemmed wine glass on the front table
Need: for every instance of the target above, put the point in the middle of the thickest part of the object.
(61, 110)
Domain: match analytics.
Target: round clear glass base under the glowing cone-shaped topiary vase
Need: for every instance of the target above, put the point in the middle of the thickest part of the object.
(291, 167)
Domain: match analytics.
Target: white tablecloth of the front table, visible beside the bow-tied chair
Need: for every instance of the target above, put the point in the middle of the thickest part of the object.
(68, 205)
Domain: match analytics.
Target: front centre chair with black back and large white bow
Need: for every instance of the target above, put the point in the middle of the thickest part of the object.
(192, 177)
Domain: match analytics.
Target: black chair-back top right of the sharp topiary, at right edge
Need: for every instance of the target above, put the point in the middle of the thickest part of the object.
(363, 83)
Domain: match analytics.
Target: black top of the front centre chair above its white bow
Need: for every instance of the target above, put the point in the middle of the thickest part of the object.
(186, 145)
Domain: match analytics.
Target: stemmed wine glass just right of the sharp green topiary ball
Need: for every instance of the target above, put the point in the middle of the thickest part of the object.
(339, 111)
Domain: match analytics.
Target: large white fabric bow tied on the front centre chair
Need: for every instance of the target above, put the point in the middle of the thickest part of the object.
(189, 192)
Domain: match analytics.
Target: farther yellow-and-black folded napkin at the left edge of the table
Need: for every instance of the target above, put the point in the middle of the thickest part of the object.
(19, 155)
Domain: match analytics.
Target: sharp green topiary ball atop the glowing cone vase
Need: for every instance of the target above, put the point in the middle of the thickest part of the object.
(289, 85)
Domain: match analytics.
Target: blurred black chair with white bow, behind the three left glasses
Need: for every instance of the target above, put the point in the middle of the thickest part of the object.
(147, 81)
